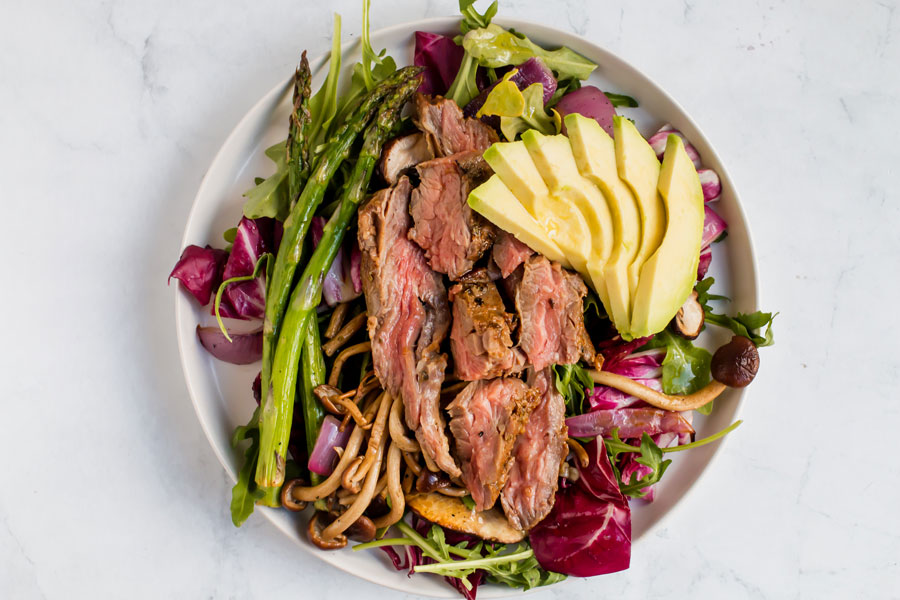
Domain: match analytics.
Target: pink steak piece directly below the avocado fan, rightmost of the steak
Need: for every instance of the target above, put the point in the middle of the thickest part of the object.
(551, 318)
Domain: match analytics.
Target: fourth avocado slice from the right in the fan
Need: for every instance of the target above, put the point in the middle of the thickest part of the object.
(552, 154)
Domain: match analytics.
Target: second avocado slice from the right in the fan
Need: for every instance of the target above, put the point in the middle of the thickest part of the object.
(638, 167)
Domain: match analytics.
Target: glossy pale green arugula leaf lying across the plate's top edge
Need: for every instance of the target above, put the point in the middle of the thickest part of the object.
(492, 46)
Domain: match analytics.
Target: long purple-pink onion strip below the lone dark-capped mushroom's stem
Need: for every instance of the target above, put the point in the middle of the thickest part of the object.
(631, 422)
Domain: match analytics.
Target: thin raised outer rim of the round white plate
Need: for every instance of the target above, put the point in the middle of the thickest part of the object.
(444, 23)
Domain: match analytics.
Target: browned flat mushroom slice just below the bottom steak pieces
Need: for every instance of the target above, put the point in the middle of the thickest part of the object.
(453, 514)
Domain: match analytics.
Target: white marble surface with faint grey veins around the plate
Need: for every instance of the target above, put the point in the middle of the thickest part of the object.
(109, 114)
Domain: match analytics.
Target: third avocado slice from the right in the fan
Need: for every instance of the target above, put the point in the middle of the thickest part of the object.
(595, 155)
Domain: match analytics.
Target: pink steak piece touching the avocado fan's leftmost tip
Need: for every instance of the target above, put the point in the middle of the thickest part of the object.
(452, 234)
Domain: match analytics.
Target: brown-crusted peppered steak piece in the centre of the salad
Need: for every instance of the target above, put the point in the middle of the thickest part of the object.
(480, 339)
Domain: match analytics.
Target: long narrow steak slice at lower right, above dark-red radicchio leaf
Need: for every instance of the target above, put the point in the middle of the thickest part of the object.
(539, 452)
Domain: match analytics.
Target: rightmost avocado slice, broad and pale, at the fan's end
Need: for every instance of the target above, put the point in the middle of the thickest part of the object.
(668, 277)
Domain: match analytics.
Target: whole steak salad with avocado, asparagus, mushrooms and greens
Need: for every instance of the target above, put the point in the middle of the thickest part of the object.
(476, 290)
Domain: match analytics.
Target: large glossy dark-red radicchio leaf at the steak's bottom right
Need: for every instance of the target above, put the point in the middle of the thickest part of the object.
(588, 532)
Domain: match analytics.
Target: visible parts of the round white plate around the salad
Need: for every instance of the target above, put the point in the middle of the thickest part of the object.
(221, 392)
